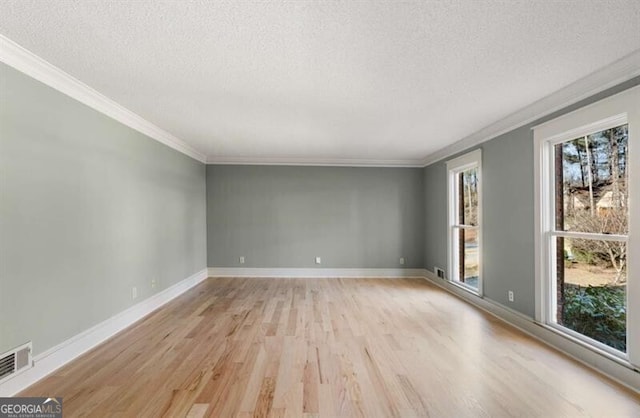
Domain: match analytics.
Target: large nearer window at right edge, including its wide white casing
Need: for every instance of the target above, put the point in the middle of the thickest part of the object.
(587, 279)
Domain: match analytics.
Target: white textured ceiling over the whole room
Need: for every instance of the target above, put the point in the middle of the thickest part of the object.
(387, 81)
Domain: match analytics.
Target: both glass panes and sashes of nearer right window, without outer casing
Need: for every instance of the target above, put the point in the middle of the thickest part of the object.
(590, 235)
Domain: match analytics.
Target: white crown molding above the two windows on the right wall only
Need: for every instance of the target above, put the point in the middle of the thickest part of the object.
(611, 75)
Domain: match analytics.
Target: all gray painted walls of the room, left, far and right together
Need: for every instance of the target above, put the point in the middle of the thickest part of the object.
(90, 208)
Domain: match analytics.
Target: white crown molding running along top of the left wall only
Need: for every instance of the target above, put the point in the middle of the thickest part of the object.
(25, 61)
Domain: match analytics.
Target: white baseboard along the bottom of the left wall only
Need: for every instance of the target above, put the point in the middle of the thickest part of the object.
(56, 357)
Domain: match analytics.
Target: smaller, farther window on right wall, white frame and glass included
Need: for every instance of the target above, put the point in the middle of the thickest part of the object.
(464, 221)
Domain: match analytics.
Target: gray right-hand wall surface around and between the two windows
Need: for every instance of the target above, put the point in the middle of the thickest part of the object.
(508, 212)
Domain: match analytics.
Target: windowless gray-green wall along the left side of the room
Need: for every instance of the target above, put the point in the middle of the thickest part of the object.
(89, 208)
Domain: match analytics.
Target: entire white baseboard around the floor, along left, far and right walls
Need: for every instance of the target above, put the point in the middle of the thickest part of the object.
(56, 357)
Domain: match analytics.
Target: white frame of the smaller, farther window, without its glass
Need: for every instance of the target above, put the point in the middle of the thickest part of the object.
(455, 166)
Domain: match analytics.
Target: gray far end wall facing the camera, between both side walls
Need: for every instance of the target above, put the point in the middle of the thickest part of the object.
(279, 216)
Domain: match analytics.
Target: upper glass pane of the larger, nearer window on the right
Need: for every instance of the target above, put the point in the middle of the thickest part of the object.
(591, 183)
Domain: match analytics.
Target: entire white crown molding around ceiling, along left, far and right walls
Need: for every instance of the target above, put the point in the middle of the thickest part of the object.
(25, 61)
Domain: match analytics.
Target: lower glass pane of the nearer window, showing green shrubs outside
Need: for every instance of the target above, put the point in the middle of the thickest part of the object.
(591, 289)
